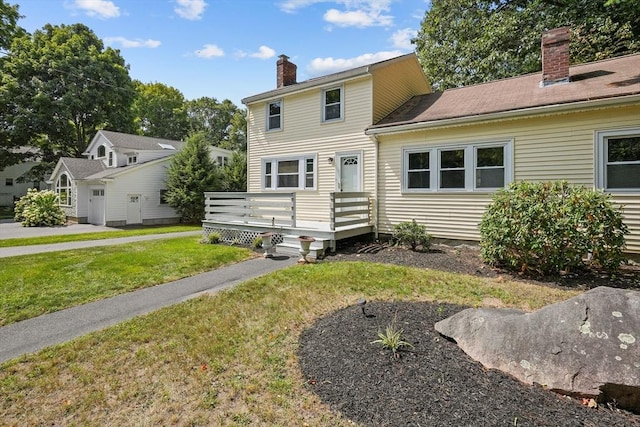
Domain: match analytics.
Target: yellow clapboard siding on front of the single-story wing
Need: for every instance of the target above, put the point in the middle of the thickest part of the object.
(545, 148)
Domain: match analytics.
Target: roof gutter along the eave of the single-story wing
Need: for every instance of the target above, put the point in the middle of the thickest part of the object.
(504, 115)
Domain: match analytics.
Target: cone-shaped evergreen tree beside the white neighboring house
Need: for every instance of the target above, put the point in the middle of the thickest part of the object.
(191, 173)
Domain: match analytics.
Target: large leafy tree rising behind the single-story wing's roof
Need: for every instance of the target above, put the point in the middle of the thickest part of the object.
(464, 42)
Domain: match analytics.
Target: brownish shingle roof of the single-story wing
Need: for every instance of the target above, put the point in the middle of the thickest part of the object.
(597, 80)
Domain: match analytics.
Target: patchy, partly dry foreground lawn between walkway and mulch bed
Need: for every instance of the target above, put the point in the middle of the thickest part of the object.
(227, 359)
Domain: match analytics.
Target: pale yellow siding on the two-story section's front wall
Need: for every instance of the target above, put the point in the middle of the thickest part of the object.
(304, 133)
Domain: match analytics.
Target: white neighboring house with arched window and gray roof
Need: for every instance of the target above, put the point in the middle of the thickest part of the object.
(120, 182)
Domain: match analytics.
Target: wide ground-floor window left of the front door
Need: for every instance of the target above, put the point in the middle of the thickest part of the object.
(298, 173)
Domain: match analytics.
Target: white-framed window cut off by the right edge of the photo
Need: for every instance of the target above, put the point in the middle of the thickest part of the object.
(618, 160)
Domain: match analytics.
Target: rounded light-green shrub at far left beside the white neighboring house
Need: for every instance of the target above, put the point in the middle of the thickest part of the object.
(38, 209)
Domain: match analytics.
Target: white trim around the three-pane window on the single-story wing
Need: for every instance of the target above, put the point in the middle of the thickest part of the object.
(470, 150)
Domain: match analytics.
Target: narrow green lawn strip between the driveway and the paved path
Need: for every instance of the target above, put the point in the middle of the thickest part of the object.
(42, 240)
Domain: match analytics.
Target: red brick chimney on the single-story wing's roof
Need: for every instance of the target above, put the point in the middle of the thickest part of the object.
(555, 56)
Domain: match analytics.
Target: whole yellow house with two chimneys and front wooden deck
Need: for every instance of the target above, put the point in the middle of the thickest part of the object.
(362, 150)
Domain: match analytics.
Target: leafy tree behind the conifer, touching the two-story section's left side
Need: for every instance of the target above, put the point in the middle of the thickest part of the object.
(223, 123)
